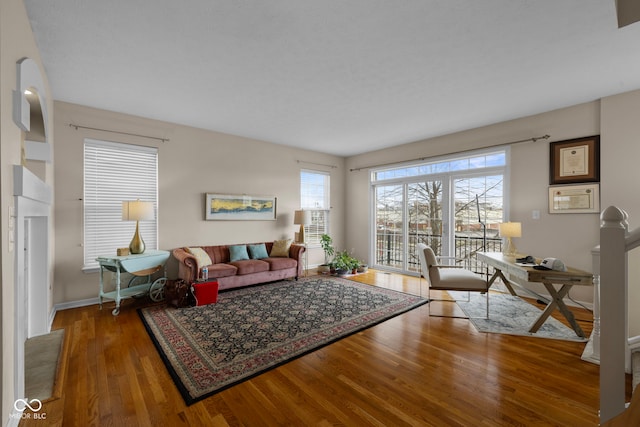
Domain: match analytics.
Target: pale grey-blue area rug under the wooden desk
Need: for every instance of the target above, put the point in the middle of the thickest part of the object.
(509, 314)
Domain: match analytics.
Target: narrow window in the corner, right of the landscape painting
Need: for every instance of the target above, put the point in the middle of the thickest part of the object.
(314, 196)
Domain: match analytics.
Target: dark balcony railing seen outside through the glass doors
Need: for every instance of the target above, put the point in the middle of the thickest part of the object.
(390, 249)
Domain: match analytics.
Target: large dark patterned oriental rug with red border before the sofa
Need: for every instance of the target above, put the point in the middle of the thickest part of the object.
(251, 330)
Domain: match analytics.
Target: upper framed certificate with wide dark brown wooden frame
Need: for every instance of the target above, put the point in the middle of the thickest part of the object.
(575, 160)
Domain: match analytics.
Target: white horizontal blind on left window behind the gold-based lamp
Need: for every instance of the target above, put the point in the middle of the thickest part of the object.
(113, 173)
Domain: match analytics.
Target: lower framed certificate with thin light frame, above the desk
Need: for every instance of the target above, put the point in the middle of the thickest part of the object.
(574, 198)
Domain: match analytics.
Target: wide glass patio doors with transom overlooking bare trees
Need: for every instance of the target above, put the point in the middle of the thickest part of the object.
(452, 204)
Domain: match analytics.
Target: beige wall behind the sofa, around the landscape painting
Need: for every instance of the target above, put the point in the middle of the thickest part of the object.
(192, 163)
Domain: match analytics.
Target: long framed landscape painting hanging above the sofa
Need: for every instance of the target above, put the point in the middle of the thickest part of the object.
(239, 207)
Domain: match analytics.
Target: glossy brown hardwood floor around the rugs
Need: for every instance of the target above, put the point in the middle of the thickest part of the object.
(410, 370)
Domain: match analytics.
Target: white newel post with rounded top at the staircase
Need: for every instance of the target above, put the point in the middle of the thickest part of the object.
(613, 312)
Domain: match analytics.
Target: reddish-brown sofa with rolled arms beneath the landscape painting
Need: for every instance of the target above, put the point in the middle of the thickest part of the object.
(233, 274)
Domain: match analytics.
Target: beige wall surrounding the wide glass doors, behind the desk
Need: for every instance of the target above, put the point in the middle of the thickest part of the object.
(569, 237)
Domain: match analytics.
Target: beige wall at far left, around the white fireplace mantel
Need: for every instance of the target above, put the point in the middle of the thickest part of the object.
(16, 42)
